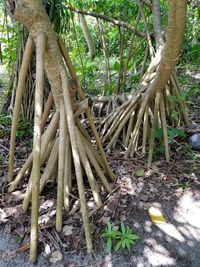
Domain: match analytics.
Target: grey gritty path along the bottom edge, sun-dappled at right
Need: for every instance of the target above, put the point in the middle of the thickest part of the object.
(173, 244)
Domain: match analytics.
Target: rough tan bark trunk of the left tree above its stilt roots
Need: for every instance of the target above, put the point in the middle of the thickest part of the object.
(33, 16)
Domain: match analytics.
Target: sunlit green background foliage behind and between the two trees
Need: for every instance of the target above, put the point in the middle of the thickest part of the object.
(92, 72)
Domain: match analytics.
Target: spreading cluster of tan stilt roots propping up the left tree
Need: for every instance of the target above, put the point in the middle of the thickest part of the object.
(64, 147)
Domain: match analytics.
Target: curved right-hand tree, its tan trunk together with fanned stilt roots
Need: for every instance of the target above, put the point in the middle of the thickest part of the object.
(150, 105)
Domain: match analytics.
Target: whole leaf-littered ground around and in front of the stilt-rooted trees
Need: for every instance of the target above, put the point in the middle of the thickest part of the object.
(173, 188)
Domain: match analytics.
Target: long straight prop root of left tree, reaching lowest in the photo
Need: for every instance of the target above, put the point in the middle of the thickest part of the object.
(40, 53)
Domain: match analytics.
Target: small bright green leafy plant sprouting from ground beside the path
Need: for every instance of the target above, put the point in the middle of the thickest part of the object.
(123, 238)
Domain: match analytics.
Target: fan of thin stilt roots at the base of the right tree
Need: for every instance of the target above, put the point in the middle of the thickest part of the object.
(132, 120)
